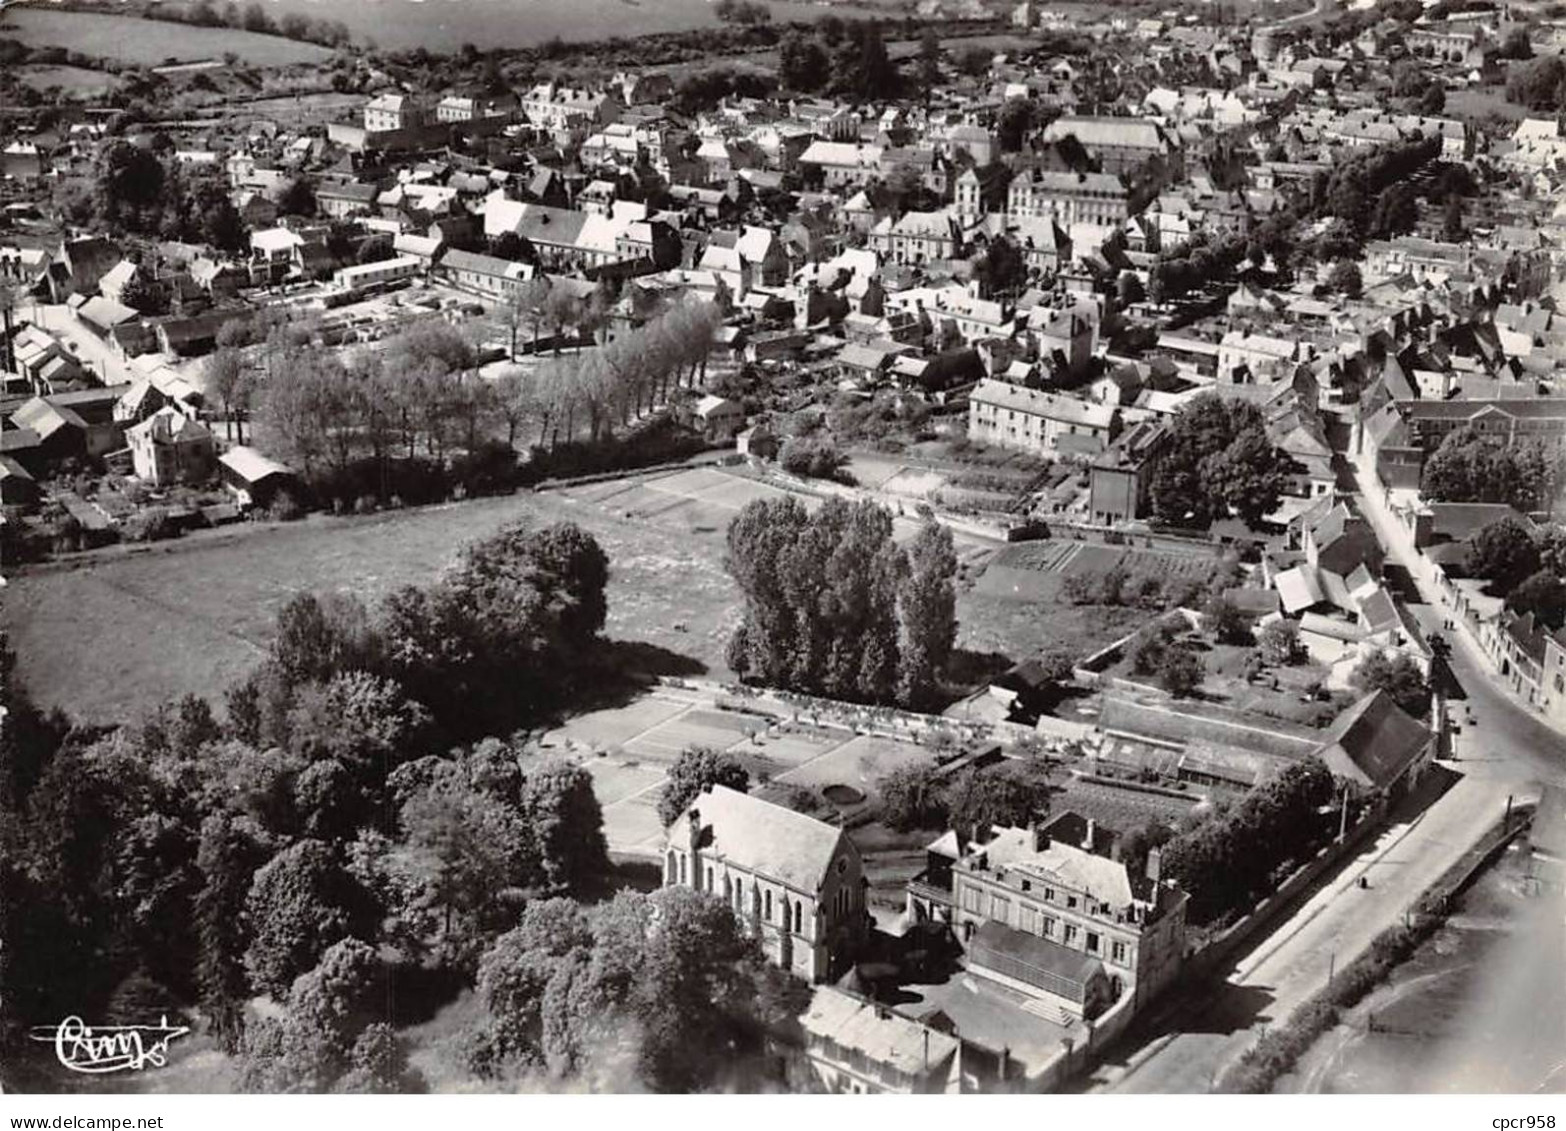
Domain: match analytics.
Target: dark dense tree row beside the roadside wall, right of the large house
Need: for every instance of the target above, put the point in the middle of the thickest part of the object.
(1229, 861)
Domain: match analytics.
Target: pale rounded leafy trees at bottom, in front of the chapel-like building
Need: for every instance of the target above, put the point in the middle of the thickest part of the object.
(666, 992)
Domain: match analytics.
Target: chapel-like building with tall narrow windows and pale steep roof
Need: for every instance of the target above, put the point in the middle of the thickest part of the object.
(798, 884)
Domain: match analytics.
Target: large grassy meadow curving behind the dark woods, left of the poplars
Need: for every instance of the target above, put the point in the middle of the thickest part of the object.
(124, 632)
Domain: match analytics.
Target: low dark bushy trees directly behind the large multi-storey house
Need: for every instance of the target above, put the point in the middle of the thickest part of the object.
(975, 801)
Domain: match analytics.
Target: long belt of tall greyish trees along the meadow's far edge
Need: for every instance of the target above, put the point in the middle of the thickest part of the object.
(414, 421)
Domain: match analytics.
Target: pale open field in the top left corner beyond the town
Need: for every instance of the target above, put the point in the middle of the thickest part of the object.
(150, 43)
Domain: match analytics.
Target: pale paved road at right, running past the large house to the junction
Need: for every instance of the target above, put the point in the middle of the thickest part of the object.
(1504, 753)
